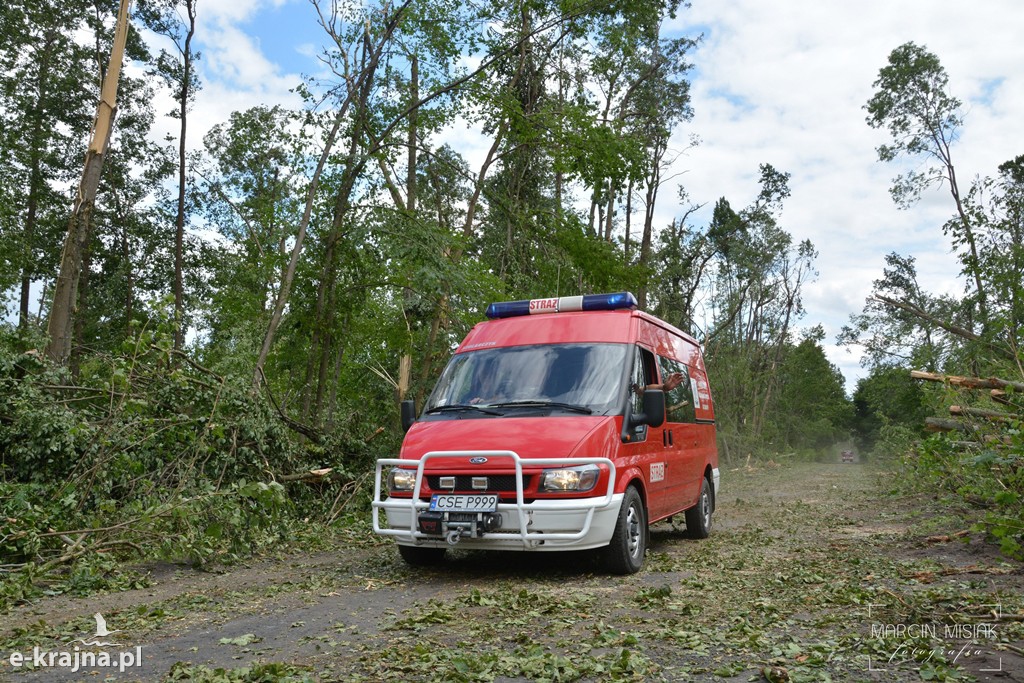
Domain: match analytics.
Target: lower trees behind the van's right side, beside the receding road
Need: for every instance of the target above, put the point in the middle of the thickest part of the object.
(737, 285)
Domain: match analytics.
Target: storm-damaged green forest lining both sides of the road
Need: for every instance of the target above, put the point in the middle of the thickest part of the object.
(192, 337)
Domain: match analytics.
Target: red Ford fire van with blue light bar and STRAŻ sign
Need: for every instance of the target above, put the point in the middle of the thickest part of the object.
(560, 424)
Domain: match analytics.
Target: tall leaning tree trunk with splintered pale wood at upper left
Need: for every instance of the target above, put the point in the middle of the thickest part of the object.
(60, 327)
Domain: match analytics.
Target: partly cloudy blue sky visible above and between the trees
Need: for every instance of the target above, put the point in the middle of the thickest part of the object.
(781, 82)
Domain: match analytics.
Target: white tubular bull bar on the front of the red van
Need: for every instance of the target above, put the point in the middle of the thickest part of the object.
(523, 509)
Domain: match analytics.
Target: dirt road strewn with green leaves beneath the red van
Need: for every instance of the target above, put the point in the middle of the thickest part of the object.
(812, 574)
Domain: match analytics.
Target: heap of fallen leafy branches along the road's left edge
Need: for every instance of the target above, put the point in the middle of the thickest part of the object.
(149, 454)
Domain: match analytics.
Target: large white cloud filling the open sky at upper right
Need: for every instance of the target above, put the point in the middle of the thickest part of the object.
(786, 83)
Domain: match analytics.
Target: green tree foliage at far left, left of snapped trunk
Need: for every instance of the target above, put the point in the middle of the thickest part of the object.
(48, 97)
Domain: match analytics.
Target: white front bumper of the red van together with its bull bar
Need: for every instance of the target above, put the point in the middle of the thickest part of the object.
(547, 525)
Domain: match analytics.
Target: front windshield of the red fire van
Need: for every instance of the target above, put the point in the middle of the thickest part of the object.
(582, 378)
